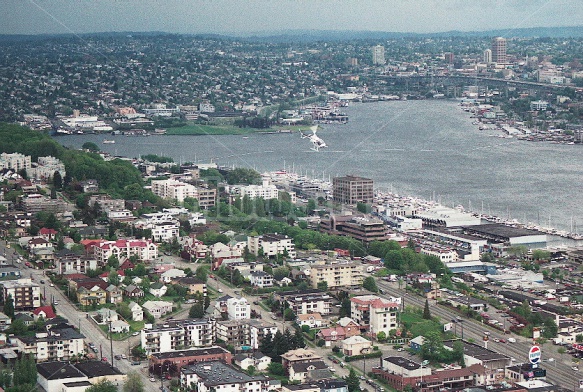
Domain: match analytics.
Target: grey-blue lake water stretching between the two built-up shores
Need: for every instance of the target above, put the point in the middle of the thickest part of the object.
(423, 148)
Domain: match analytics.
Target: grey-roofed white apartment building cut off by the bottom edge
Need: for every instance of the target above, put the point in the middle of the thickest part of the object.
(218, 376)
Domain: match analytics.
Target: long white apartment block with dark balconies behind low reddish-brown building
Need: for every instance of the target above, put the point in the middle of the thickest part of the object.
(177, 335)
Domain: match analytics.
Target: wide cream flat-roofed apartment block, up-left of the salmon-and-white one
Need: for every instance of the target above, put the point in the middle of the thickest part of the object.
(336, 275)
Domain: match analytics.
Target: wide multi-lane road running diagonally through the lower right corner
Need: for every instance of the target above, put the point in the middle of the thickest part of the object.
(558, 373)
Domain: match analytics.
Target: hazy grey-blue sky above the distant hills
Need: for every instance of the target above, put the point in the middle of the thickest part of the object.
(248, 16)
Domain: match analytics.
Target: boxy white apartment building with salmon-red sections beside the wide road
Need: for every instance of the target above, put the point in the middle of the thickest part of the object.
(379, 314)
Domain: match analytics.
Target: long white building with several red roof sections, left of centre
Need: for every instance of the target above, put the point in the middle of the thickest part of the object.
(144, 249)
